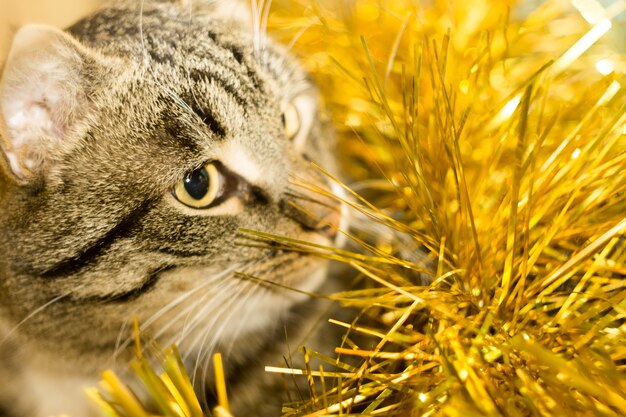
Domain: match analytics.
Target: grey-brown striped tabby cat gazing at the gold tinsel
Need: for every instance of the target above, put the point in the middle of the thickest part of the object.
(112, 131)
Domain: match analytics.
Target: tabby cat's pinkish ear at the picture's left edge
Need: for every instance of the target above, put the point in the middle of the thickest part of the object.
(43, 94)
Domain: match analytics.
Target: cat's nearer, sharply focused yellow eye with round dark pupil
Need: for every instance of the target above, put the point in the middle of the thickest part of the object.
(200, 188)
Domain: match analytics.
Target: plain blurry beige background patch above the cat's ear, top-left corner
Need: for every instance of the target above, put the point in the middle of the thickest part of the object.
(15, 13)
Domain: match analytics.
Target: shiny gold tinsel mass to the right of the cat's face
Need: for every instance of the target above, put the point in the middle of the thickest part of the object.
(486, 141)
